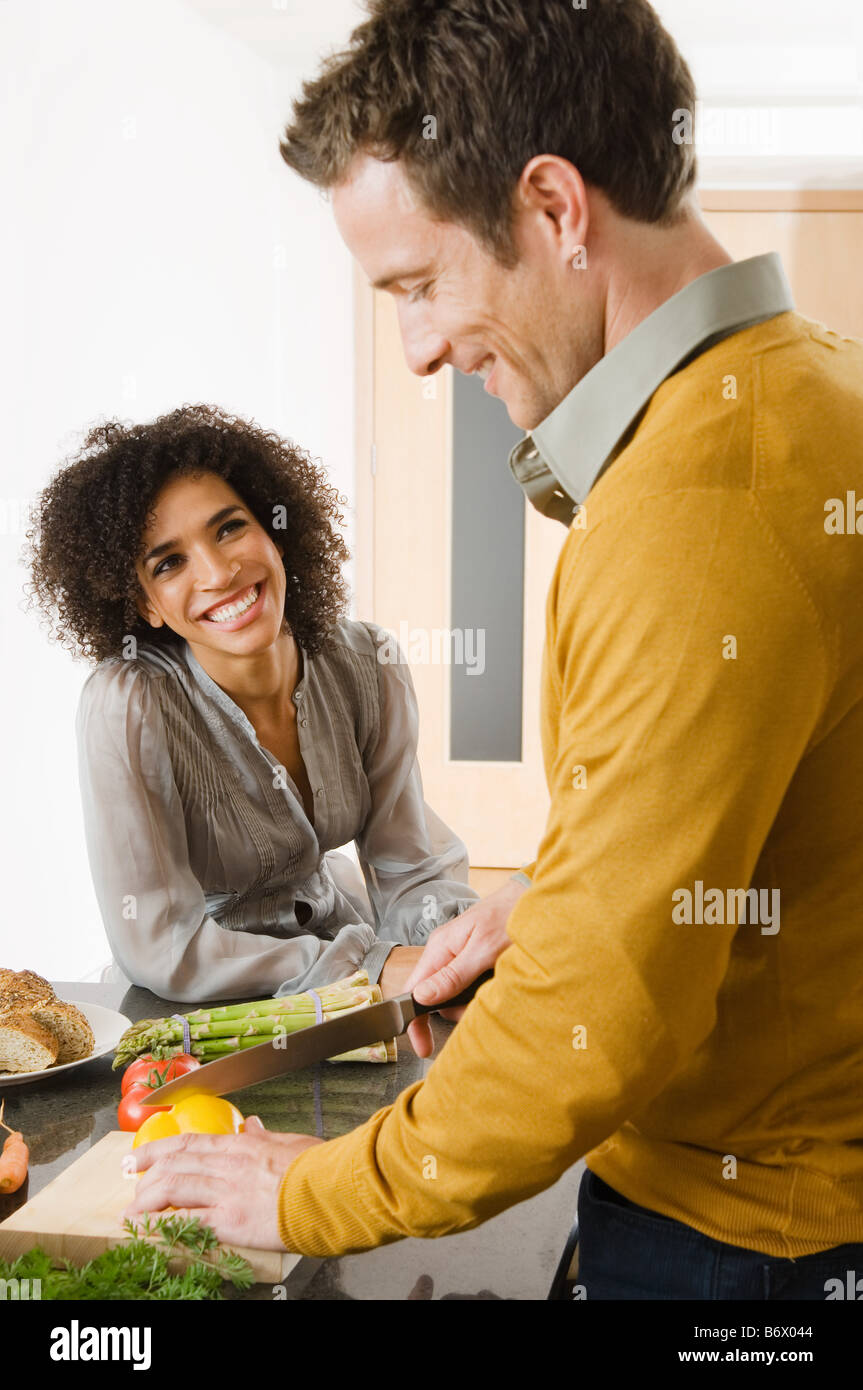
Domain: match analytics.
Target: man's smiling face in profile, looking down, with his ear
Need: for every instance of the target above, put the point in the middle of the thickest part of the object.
(458, 305)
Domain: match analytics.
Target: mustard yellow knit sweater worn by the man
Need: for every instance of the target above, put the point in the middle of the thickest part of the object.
(702, 735)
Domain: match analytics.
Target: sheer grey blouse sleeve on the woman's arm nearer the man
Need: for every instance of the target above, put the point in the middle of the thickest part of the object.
(416, 868)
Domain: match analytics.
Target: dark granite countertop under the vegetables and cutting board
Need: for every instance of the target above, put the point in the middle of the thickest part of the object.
(513, 1256)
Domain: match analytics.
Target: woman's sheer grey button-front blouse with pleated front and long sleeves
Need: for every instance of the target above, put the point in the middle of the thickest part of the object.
(199, 843)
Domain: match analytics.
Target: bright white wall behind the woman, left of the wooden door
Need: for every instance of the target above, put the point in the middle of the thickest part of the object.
(145, 201)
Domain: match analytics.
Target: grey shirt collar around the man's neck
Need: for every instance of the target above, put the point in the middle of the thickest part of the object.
(558, 464)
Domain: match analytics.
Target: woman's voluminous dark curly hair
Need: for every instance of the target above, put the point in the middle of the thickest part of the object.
(87, 528)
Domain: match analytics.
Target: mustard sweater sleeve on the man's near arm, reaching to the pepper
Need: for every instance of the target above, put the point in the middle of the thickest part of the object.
(668, 764)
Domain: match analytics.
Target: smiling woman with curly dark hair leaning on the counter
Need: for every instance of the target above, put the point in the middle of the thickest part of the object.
(238, 728)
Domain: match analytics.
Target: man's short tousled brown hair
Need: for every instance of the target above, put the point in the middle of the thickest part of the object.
(504, 80)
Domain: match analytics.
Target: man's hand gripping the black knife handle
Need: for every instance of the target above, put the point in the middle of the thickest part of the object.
(457, 954)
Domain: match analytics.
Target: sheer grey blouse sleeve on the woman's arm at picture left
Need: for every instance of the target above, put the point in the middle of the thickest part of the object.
(152, 906)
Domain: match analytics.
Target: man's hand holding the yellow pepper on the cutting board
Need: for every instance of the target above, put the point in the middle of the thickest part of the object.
(230, 1182)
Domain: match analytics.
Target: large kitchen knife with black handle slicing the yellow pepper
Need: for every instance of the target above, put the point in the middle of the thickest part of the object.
(288, 1052)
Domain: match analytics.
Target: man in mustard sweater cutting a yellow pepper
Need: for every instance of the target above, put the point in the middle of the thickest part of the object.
(676, 995)
